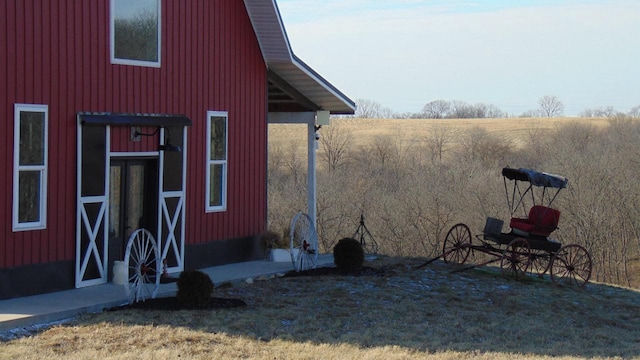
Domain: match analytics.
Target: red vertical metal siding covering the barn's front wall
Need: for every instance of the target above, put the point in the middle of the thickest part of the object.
(210, 61)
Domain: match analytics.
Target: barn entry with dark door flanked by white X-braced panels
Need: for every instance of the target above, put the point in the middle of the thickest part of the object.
(131, 174)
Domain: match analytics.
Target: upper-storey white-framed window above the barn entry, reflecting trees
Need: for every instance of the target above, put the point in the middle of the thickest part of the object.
(135, 32)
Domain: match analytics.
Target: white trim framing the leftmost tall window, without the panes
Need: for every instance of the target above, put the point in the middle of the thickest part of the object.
(17, 168)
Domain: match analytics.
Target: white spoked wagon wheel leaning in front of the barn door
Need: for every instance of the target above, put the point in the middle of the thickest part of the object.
(143, 266)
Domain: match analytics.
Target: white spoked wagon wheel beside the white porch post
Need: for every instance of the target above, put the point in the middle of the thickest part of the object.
(303, 242)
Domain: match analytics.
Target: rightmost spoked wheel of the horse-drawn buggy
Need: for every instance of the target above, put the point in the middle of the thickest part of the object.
(571, 265)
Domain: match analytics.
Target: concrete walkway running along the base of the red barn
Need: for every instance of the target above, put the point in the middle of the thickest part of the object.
(52, 307)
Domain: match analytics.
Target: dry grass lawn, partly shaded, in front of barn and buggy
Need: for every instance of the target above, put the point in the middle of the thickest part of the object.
(407, 313)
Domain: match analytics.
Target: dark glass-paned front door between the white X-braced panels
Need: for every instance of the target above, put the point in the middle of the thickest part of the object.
(133, 202)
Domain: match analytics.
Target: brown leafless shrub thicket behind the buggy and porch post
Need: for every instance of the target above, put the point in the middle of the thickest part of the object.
(411, 191)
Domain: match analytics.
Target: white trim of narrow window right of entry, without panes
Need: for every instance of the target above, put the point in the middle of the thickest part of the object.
(209, 162)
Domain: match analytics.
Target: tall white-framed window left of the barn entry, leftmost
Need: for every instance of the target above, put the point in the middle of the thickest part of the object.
(30, 144)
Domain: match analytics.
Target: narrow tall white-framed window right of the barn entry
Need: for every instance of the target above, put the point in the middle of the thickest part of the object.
(217, 123)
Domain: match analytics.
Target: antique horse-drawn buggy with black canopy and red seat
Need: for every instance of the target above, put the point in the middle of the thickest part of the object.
(527, 248)
